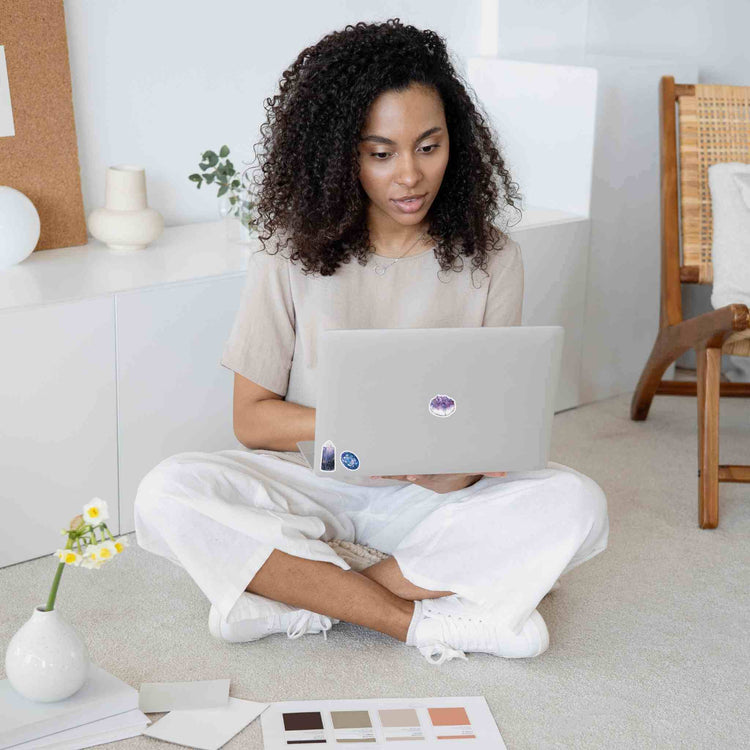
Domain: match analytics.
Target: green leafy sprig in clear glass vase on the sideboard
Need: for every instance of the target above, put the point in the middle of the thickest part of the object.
(235, 191)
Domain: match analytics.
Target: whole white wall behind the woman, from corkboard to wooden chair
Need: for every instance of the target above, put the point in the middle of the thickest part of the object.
(158, 83)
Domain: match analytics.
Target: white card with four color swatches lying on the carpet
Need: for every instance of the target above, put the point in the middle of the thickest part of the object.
(444, 723)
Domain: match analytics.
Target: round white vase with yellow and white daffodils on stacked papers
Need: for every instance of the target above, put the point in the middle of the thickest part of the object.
(47, 660)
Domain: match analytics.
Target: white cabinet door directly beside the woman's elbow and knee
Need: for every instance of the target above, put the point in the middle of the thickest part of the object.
(173, 394)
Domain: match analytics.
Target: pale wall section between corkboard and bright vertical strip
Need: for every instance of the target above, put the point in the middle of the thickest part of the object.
(158, 83)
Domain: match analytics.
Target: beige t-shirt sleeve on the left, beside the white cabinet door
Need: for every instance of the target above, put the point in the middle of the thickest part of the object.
(260, 346)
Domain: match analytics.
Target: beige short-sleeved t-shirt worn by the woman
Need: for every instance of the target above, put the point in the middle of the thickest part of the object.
(273, 341)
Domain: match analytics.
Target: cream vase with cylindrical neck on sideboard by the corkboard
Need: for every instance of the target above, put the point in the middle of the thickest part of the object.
(126, 222)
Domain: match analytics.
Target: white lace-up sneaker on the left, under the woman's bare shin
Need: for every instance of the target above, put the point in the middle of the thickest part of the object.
(254, 617)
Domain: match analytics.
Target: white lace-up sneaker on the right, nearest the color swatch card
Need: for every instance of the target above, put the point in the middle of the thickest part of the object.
(446, 627)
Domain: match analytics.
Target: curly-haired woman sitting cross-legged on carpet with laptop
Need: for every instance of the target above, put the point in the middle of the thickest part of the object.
(374, 152)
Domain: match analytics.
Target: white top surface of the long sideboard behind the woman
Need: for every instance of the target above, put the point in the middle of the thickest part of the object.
(187, 252)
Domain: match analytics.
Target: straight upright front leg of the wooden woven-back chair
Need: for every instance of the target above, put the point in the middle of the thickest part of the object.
(708, 379)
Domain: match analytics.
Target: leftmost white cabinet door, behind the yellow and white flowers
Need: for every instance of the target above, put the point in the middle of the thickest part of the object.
(58, 424)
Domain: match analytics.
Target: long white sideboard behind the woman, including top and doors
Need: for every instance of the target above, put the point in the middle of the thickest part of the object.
(110, 363)
